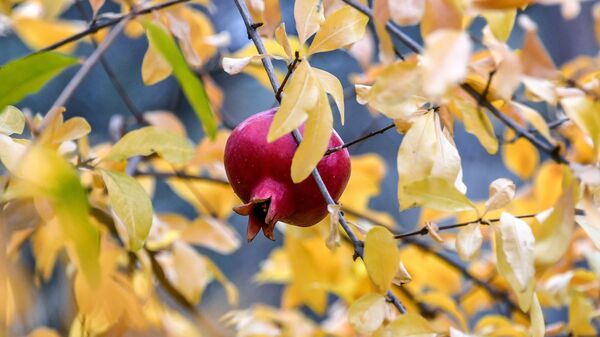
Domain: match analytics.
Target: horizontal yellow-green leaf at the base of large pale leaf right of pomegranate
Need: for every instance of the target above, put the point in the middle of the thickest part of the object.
(439, 194)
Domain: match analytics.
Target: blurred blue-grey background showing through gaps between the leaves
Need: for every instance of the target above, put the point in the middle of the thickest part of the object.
(97, 100)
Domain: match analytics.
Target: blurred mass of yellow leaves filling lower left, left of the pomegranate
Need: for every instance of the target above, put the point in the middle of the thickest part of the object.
(65, 196)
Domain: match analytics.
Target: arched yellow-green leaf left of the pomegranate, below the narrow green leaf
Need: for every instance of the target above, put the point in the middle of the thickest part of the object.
(145, 141)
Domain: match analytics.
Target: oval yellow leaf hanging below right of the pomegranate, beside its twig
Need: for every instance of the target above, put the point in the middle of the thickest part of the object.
(381, 256)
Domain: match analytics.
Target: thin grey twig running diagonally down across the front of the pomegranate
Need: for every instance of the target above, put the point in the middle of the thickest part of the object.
(268, 65)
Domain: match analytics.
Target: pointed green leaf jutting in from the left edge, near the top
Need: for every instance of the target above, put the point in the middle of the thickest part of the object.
(27, 75)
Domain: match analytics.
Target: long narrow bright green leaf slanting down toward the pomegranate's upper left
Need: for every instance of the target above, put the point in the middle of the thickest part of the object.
(191, 85)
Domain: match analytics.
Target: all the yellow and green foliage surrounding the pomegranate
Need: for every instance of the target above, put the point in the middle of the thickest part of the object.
(493, 267)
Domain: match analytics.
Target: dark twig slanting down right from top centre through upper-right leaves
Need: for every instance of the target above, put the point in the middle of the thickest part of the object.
(550, 149)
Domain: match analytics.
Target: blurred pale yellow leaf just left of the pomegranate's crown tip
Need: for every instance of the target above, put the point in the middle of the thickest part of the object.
(213, 234)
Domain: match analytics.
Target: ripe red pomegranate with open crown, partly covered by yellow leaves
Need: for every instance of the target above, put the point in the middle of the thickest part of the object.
(259, 173)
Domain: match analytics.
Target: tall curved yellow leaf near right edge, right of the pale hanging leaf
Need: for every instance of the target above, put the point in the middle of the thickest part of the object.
(556, 231)
